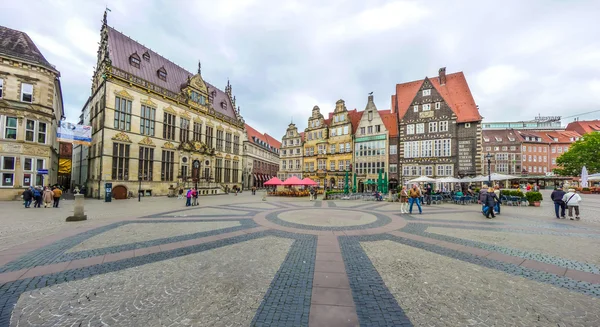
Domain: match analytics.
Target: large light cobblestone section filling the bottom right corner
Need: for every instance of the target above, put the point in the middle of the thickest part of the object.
(435, 290)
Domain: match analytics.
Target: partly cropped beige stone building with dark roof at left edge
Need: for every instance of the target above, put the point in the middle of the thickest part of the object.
(31, 106)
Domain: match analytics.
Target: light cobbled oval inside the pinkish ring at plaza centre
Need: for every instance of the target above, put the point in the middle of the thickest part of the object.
(329, 218)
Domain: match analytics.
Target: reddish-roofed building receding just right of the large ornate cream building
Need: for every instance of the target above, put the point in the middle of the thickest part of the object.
(261, 153)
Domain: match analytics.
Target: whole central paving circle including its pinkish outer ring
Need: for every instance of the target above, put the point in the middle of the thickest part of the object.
(328, 219)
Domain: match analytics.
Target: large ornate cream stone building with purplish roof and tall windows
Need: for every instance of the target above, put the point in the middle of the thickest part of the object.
(155, 122)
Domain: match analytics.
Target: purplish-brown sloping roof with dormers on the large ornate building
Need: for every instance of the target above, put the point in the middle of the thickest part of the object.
(121, 47)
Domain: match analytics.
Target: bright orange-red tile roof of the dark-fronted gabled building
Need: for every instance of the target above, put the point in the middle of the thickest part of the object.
(455, 92)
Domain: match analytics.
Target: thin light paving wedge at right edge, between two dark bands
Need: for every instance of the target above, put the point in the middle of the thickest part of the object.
(575, 247)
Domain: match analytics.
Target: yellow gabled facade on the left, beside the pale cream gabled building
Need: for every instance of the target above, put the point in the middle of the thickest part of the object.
(315, 148)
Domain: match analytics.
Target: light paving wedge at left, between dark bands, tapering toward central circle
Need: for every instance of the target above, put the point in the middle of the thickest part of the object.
(140, 232)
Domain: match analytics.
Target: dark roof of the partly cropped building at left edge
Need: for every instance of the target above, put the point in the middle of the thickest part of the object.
(19, 45)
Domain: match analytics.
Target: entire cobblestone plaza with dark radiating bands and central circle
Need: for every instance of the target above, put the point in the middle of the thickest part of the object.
(240, 261)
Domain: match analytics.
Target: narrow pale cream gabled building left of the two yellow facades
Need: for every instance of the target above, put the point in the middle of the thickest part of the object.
(291, 154)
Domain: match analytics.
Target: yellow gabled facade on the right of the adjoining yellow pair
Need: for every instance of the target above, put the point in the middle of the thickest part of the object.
(339, 148)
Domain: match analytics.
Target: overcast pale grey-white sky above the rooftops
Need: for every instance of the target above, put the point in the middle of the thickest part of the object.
(521, 58)
